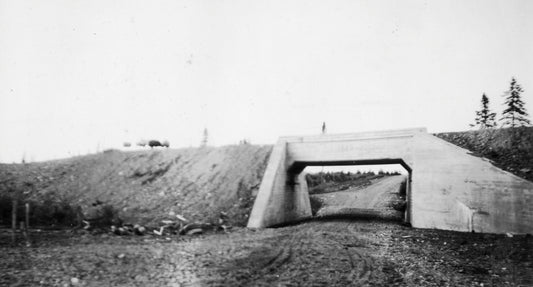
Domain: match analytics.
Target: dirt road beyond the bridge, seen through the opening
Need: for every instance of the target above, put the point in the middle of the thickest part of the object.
(371, 200)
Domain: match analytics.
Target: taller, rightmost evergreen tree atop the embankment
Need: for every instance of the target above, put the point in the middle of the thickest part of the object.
(515, 114)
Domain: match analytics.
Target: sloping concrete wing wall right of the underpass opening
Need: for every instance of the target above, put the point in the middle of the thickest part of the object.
(455, 190)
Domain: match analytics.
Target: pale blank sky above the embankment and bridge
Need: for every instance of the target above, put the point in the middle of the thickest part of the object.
(78, 77)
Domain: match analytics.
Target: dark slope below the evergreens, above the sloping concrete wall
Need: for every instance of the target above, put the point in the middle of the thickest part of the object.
(509, 149)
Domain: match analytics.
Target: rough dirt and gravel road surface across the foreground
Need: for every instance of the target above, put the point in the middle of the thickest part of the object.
(316, 253)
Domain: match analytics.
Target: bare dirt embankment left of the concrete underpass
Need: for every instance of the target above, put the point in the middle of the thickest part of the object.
(145, 186)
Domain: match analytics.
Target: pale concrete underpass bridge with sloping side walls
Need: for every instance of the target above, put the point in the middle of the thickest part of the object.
(448, 188)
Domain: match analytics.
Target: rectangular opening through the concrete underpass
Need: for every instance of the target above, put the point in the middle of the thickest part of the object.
(366, 189)
